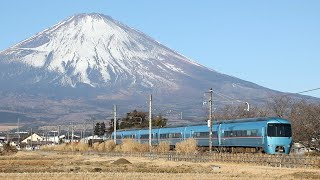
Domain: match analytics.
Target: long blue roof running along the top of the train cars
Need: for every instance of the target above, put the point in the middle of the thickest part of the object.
(259, 119)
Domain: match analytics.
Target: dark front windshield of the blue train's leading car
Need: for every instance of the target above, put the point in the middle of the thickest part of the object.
(279, 130)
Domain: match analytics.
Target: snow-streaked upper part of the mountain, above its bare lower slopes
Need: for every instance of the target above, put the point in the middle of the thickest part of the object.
(97, 51)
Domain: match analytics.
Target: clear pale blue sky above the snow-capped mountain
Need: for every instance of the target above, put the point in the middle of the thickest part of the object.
(274, 43)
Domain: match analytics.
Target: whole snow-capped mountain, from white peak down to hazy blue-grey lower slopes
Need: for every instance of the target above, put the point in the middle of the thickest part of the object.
(95, 58)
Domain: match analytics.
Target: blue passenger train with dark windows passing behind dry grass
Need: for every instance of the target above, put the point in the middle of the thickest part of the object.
(269, 135)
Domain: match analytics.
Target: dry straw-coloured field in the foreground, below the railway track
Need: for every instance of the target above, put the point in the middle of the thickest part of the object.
(45, 165)
